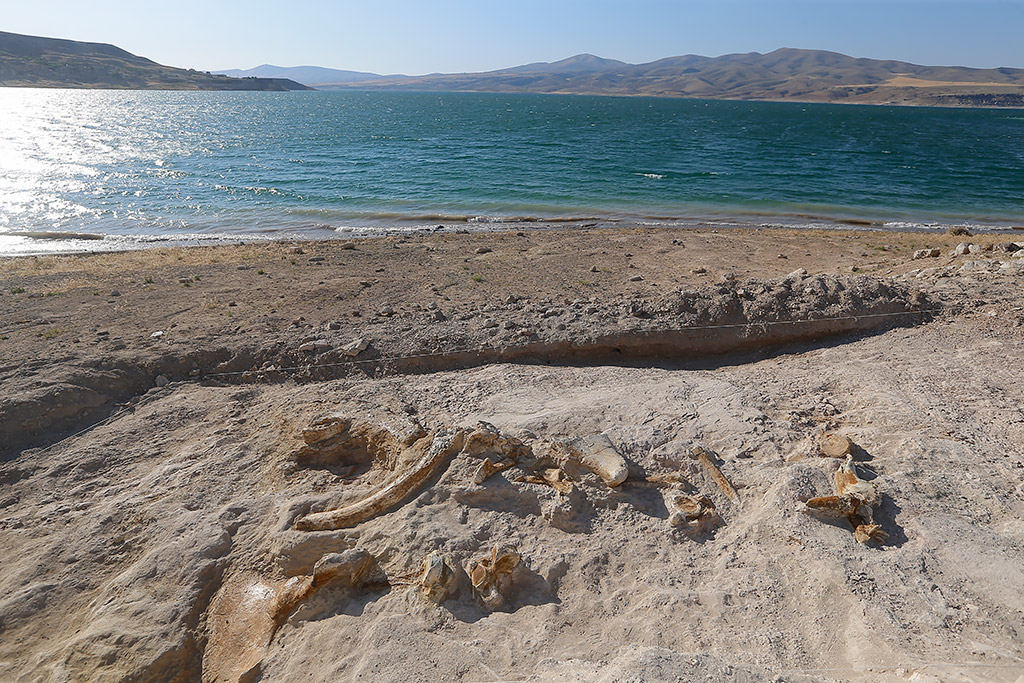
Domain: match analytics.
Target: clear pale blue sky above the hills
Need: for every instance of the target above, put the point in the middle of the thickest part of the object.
(425, 36)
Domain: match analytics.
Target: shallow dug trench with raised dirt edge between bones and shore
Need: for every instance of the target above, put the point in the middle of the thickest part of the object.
(695, 326)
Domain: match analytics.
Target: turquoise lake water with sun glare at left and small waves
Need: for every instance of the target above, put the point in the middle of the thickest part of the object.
(151, 167)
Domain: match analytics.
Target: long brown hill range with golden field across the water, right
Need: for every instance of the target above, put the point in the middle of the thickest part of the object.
(788, 74)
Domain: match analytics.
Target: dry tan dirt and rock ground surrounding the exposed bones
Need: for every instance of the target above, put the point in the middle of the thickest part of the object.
(156, 478)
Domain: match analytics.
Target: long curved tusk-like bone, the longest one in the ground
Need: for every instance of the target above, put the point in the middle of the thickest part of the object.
(428, 455)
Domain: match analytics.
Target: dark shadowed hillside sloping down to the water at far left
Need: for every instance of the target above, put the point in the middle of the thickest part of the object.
(51, 63)
